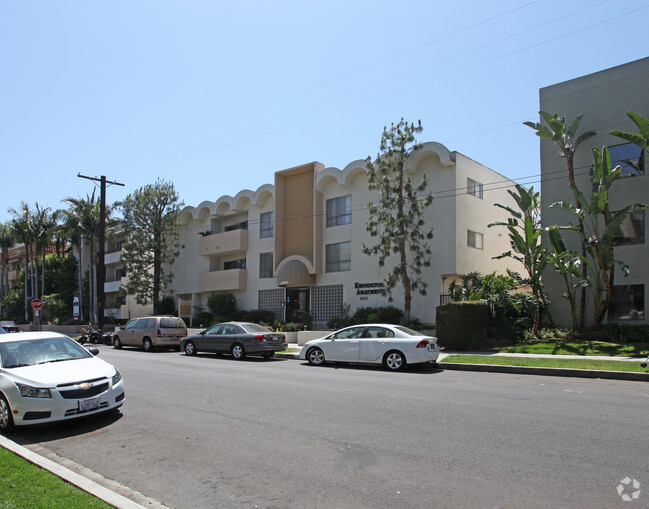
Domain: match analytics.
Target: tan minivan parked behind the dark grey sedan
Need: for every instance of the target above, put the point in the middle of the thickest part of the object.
(151, 332)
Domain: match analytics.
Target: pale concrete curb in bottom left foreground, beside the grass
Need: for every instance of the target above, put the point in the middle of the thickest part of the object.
(87, 485)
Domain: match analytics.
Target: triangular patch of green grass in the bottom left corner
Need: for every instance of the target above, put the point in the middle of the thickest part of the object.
(23, 484)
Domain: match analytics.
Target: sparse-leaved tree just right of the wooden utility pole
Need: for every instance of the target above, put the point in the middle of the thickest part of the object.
(151, 239)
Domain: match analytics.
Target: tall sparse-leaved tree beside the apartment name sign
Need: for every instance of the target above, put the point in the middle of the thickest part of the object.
(397, 220)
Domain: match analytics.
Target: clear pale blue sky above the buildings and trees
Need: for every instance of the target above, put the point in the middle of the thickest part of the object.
(217, 96)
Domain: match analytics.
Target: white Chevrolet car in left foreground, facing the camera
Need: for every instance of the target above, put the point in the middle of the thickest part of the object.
(47, 377)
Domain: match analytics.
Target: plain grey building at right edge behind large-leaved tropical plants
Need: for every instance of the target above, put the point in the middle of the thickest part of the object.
(603, 98)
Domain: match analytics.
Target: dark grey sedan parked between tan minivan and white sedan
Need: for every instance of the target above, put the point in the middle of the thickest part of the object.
(238, 338)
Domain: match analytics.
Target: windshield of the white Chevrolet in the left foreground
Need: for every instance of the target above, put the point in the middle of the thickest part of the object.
(30, 352)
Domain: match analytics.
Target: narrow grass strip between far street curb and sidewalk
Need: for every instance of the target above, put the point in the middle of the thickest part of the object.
(538, 362)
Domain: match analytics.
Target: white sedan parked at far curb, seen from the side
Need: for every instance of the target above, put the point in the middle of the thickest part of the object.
(393, 346)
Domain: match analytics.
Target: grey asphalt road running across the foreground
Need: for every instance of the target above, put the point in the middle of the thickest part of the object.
(213, 432)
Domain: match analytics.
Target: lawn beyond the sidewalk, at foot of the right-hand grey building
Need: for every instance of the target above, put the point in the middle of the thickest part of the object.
(559, 347)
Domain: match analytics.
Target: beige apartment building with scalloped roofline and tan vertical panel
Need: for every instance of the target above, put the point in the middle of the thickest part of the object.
(295, 246)
